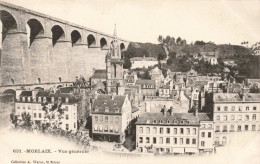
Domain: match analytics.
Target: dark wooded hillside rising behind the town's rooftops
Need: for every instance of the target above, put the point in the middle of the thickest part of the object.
(179, 56)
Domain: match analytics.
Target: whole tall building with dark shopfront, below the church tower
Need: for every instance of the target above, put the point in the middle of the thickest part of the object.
(111, 116)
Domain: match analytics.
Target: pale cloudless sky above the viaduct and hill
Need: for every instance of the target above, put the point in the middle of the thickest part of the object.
(219, 21)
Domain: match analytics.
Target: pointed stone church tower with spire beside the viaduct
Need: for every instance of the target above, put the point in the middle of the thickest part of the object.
(114, 66)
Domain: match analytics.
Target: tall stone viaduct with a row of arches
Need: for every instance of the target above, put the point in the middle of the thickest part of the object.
(38, 48)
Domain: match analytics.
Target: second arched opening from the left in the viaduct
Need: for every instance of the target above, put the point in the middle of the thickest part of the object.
(34, 28)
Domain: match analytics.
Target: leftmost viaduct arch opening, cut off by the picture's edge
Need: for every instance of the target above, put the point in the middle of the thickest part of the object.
(7, 23)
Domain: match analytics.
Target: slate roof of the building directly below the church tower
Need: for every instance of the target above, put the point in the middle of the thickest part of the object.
(105, 101)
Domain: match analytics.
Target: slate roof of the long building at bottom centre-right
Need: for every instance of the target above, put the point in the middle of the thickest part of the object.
(177, 119)
